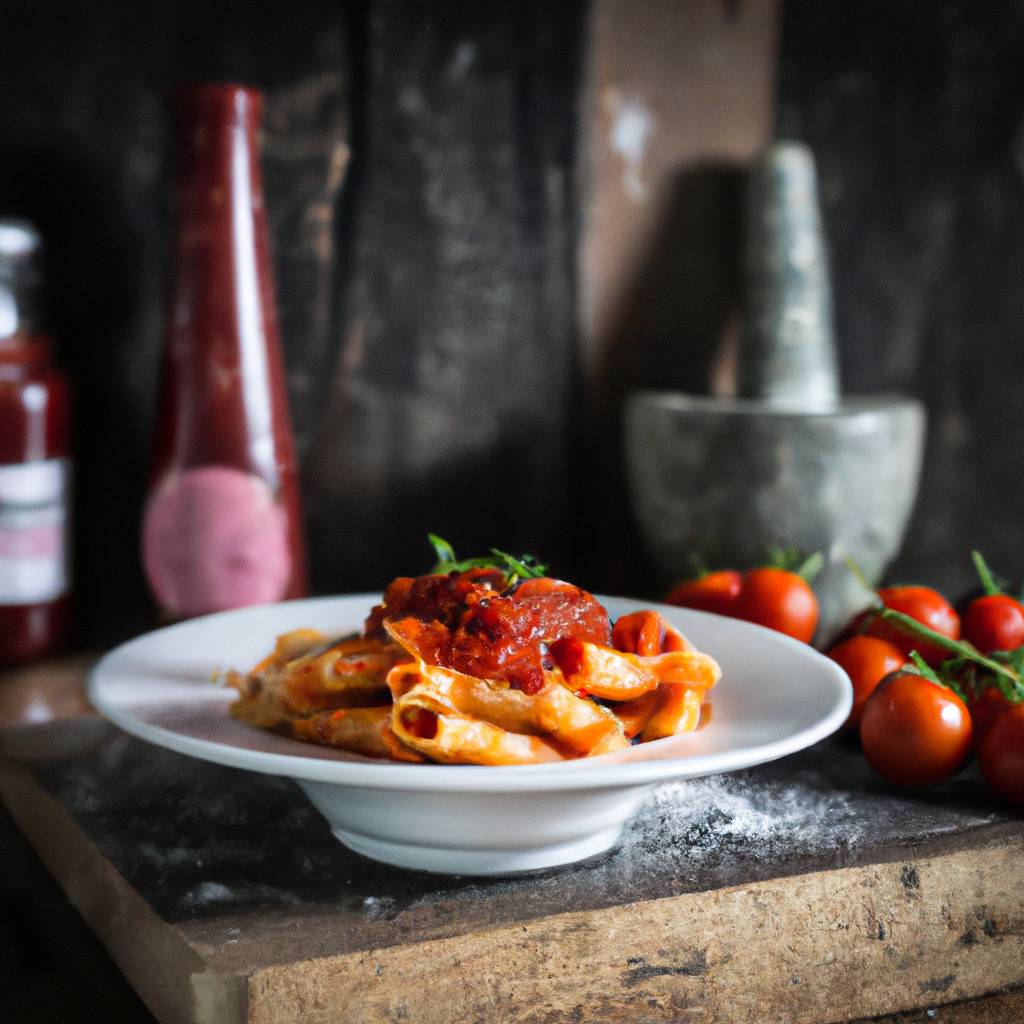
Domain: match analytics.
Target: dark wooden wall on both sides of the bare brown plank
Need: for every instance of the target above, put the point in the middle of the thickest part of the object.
(422, 182)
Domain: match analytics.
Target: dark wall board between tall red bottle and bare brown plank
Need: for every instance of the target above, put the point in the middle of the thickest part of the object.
(452, 408)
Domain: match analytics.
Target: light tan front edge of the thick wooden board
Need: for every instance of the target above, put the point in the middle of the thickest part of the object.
(813, 949)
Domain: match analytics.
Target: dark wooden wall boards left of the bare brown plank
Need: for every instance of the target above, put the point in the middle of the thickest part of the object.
(419, 174)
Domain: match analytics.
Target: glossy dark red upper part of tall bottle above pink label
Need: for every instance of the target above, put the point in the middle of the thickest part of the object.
(223, 393)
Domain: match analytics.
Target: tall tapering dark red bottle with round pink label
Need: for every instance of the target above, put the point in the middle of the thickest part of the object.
(223, 526)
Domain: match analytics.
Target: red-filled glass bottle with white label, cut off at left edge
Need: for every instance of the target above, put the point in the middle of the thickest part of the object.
(35, 449)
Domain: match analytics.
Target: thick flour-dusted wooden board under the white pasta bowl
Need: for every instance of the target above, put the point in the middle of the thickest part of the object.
(801, 891)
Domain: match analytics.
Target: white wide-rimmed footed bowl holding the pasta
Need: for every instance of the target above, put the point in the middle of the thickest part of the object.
(777, 697)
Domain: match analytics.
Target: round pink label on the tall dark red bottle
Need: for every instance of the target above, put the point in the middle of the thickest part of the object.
(216, 539)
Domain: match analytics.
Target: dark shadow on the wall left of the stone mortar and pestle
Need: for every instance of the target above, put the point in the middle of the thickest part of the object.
(675, 330)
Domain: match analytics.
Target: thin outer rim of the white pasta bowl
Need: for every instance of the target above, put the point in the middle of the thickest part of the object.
(586, 774)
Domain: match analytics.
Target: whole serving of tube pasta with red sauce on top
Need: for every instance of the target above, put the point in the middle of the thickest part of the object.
(470, 668)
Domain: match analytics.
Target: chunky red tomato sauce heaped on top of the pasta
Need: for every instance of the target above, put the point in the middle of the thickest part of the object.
(464, 622)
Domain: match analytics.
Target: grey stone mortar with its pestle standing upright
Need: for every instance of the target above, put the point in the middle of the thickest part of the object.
(789, 462)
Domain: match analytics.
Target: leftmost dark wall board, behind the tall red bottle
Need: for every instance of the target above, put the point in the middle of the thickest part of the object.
(86, 154)
